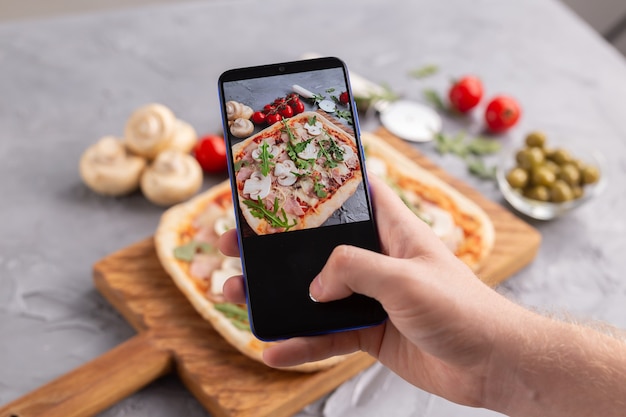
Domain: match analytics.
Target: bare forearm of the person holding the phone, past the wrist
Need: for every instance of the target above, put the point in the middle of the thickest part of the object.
(554, 368)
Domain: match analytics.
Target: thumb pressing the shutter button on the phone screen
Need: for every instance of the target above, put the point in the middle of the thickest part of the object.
(350, 269)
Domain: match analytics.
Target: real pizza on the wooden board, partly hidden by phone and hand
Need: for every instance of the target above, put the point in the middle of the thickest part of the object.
(187, 235)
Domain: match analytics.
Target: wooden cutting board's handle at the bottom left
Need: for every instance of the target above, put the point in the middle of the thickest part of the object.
(98, 384)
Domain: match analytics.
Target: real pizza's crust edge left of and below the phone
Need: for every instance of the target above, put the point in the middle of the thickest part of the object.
(168, 237)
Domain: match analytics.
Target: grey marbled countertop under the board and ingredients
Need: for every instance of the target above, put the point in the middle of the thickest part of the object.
(66, 82)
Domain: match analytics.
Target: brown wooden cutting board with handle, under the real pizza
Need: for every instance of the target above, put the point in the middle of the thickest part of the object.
(173, 337)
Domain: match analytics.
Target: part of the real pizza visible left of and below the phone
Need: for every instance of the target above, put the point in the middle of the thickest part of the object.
(186, 245)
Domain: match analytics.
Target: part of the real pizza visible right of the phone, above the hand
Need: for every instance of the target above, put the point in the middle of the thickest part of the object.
(462, 225)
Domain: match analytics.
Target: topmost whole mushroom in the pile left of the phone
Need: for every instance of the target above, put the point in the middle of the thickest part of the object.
(149, 130)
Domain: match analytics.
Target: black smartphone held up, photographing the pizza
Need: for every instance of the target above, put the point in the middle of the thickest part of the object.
(300, 189)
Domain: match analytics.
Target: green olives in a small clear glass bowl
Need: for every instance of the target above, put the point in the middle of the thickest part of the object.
(545, 181)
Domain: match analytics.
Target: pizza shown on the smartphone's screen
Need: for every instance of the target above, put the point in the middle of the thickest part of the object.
(295, 174)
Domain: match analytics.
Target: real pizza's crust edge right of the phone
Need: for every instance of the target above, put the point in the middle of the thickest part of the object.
(401, 166)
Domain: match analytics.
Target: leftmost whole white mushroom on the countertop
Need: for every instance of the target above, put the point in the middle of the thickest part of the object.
(107, 168)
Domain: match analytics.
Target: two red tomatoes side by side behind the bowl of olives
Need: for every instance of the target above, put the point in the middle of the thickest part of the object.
(501, 113)
